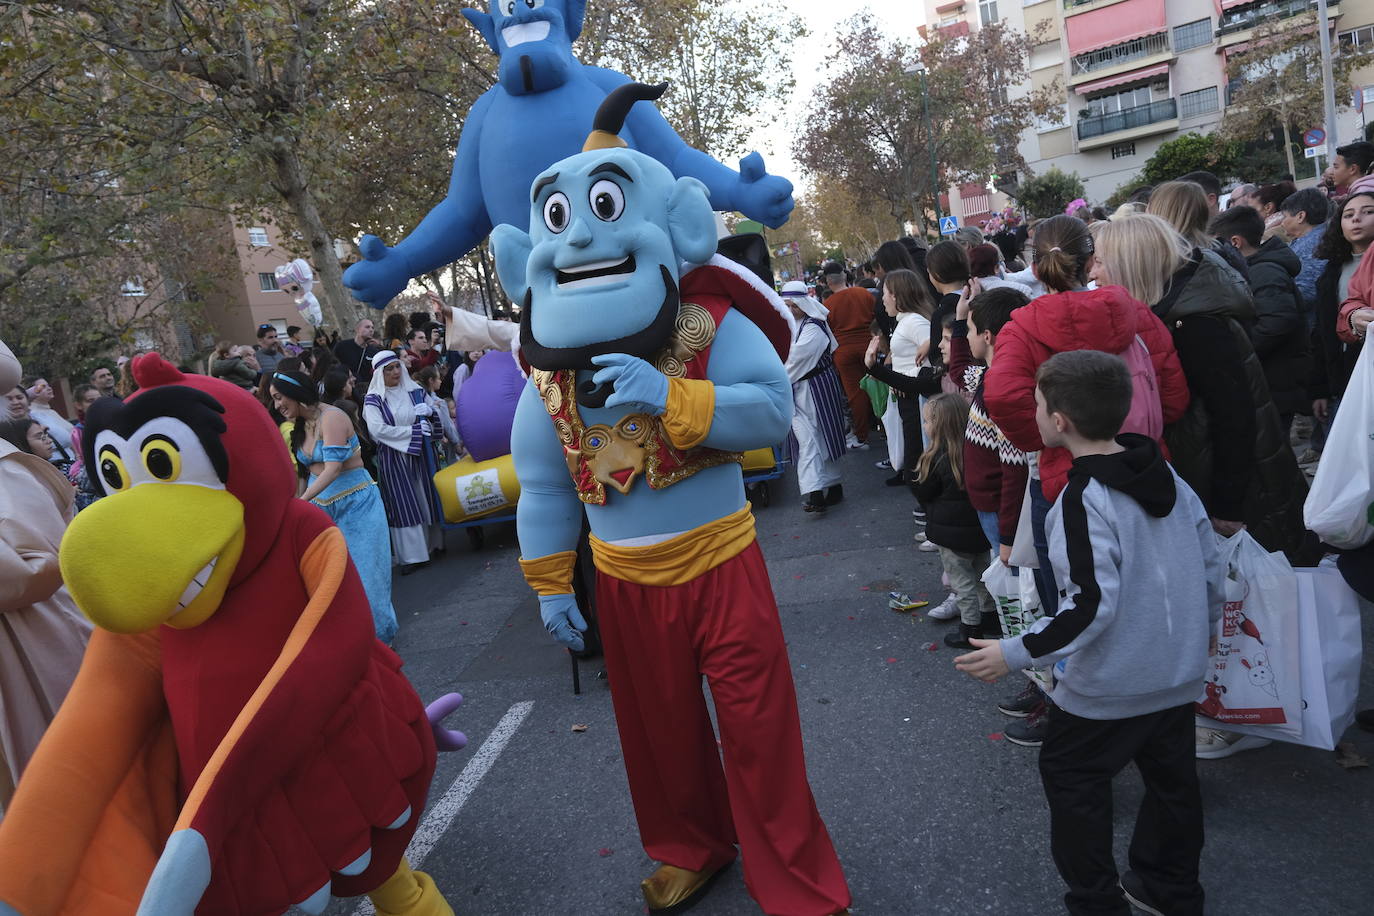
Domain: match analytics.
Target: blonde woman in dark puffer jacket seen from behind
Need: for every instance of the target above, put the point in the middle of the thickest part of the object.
(1230, 446)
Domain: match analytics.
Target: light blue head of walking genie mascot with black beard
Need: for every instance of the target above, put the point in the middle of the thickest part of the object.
(609, 230)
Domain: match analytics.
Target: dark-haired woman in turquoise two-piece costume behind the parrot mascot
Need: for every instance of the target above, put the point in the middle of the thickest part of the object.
(330, 462)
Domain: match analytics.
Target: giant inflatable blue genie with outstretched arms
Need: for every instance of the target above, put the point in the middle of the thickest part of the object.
(541, 112)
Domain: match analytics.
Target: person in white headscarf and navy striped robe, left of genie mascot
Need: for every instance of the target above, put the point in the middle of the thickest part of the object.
(401, 422)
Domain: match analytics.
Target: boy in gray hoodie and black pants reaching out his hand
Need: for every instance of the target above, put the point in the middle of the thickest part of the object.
(1134, 631)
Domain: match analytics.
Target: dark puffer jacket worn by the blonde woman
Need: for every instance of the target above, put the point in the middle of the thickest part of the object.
(1229, 446)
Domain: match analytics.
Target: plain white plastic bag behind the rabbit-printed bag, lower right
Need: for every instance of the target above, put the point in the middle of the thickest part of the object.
(1329, 635)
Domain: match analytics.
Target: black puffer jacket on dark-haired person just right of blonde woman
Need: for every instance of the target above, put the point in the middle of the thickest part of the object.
(1280, 333)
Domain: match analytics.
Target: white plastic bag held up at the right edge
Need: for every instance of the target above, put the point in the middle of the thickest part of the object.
(1340, 506)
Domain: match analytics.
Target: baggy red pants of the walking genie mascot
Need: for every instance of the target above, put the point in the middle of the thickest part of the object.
(660, 642)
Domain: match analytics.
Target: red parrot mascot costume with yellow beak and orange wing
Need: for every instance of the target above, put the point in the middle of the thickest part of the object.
(237, 741)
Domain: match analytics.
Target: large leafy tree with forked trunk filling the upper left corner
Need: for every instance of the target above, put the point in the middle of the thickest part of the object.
(247, 108)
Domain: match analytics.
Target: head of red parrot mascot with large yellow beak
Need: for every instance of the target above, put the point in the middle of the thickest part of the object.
(196, 480)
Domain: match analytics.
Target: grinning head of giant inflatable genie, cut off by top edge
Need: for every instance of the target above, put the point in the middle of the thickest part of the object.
(534, 41)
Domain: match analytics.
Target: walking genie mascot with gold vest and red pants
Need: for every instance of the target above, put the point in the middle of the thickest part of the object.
(648, 381)
